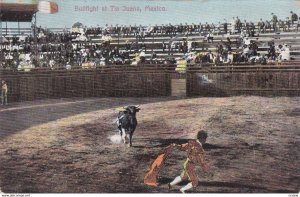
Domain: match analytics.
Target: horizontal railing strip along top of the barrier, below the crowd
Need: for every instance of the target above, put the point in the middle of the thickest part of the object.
(206, 67)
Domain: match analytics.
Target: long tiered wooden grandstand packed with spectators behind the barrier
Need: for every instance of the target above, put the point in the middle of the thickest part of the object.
(223, 43)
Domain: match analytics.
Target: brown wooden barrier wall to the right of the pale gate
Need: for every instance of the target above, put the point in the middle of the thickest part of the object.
(259, 83)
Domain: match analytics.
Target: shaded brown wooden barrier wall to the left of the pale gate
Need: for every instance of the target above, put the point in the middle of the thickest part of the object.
(68, 84)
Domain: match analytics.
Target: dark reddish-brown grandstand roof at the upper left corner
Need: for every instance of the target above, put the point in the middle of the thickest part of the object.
(14, 12)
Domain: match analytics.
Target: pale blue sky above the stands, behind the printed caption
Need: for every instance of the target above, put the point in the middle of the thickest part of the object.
(175, 11)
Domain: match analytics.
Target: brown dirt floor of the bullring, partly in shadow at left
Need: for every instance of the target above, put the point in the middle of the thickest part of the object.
(63, 146)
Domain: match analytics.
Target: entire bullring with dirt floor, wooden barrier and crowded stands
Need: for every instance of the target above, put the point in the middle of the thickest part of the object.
(59, 128)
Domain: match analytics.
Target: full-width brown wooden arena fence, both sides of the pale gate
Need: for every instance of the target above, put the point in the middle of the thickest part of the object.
(154, 81)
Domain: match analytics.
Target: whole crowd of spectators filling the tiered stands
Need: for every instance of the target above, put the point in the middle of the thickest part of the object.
(69, 49)
